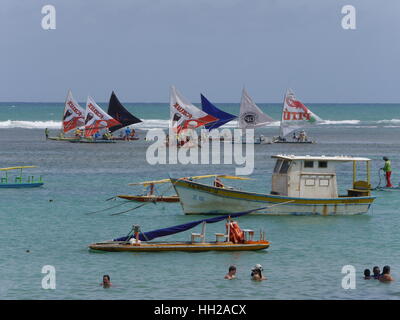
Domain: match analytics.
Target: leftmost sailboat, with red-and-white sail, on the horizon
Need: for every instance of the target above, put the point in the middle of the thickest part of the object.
(73, 117)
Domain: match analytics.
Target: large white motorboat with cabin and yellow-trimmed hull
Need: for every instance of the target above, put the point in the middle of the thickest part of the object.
(301, 185)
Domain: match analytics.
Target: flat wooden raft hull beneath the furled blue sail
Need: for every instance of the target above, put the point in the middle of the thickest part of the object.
(180, 246)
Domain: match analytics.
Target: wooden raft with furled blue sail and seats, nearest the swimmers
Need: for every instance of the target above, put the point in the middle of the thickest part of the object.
(235, 239)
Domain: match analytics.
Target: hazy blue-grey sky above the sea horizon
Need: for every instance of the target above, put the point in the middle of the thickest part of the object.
(139, 48)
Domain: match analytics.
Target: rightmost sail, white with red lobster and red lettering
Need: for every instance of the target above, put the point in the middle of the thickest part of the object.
(295, 115)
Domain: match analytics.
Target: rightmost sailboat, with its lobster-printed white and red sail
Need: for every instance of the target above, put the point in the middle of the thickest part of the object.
(295, 116)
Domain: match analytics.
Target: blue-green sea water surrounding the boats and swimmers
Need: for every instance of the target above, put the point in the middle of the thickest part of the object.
(304, 260)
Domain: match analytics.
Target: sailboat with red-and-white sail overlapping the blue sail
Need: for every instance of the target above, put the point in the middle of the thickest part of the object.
(185, 117)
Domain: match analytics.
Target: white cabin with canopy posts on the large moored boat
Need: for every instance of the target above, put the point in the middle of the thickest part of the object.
(315, 176)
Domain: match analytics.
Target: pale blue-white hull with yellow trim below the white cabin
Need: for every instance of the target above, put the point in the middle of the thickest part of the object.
(196, 198)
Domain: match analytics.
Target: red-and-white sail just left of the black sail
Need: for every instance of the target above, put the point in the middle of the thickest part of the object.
(96, 118)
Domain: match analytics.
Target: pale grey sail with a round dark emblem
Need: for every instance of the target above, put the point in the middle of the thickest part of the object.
(251, 116)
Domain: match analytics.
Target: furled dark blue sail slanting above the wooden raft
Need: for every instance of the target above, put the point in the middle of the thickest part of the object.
(150, 235)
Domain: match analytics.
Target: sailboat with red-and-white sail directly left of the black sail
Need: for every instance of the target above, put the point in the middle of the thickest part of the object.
(96, 120)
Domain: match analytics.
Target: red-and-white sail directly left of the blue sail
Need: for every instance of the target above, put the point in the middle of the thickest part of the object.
(185, 115)
